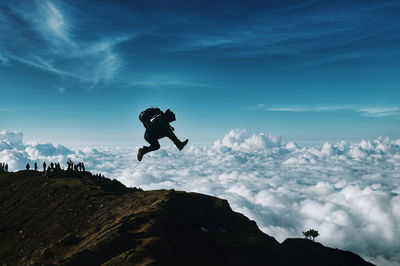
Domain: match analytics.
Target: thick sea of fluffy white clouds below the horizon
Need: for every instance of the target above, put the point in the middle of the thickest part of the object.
(349, 192)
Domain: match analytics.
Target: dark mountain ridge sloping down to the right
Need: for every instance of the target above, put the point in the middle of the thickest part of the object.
(81, 220)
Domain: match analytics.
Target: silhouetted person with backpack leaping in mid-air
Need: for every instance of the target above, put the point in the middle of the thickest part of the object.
(156, 129)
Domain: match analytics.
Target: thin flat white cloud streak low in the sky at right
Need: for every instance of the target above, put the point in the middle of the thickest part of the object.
(367, 111)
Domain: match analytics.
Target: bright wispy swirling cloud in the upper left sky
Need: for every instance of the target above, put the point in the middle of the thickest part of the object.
(55, 48)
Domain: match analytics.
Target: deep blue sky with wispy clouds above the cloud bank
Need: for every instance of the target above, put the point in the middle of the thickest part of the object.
(79, 72)
